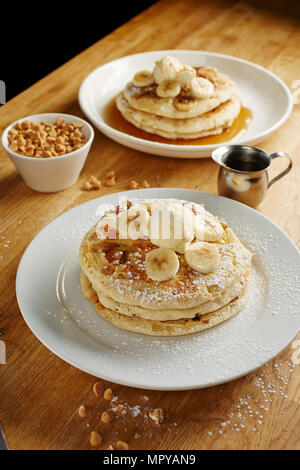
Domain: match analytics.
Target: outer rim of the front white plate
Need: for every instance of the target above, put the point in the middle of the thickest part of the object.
(141, 385)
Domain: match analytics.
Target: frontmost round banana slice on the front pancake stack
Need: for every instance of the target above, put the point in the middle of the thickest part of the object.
(161, 264)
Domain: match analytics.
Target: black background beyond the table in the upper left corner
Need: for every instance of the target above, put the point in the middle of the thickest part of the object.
(36, 38)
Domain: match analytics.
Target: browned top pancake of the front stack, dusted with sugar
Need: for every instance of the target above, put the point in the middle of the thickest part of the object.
(129, 284)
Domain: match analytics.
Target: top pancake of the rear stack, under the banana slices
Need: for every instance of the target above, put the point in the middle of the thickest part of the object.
(145, 98)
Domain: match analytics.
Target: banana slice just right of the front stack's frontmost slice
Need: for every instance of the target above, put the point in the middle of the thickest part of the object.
(202, 256)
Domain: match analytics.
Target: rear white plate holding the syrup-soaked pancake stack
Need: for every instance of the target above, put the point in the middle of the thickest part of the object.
(260, 90)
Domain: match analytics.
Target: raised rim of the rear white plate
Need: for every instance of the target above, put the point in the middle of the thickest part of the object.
(136, 141)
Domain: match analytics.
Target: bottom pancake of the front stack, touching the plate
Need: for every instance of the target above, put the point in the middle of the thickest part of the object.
(168, 328)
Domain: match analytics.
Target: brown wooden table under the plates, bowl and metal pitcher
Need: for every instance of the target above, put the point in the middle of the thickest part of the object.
(39, 393)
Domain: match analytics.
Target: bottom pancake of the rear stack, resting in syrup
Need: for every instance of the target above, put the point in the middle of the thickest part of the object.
(209, 123)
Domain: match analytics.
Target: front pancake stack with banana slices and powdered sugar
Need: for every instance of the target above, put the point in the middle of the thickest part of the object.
(164, 286)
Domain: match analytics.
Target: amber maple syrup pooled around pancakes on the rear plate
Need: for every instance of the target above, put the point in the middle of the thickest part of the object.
(114, 118)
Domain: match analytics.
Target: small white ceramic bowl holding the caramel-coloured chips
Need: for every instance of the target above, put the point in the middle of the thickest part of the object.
(49, 175)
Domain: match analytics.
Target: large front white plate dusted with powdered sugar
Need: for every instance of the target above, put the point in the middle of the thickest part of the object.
(53, 306)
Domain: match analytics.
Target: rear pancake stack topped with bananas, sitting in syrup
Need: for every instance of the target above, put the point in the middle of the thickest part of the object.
(178, 101)
